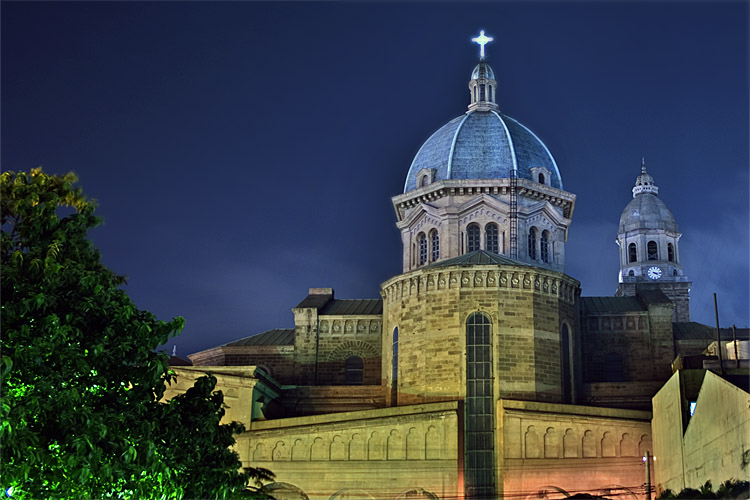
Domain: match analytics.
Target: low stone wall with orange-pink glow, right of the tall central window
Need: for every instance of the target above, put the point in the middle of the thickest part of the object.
(554, 448)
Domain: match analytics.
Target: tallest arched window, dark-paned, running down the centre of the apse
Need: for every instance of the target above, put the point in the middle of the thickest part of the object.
(479, 452)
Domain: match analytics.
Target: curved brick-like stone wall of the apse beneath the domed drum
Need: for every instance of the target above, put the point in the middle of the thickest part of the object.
(430, 306)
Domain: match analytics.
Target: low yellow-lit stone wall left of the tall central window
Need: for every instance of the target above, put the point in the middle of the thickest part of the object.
(382, 453)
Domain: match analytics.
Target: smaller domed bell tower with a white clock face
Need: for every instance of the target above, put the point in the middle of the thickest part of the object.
(649, 248)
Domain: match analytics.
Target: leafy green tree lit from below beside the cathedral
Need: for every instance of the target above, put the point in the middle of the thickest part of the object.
(81, 382)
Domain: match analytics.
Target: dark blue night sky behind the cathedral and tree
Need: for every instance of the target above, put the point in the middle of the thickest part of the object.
(243, 152)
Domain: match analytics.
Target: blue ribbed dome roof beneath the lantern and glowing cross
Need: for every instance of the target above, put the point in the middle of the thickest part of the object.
(482, 145)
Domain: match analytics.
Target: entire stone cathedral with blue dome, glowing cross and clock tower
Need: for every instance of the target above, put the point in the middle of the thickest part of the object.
(481, 372)
